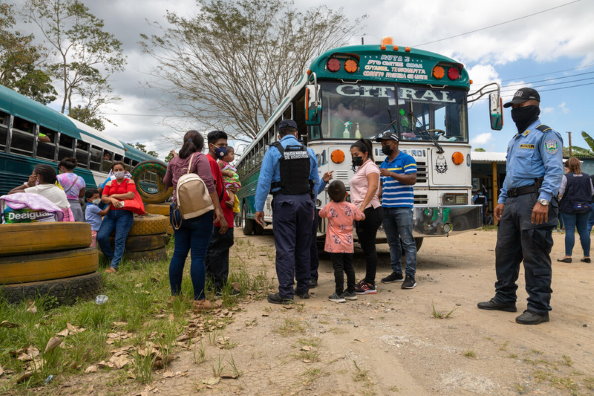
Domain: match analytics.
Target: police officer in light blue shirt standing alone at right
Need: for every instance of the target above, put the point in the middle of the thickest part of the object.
(527, 210)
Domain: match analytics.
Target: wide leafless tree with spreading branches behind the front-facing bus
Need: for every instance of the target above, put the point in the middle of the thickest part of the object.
(231, 64)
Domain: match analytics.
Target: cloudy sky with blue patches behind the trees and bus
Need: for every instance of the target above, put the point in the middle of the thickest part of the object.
(515, 43)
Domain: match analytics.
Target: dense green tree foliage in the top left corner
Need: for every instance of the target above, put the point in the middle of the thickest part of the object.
(20, 61)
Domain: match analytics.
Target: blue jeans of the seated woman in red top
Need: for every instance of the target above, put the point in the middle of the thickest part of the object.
(120, 221)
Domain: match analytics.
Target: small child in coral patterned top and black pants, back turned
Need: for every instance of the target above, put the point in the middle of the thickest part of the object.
(339, 239)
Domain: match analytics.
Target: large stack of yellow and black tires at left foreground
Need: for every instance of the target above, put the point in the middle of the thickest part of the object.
(48, 259)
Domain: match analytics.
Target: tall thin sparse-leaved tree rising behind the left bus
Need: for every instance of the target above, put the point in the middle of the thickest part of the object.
(86, 55)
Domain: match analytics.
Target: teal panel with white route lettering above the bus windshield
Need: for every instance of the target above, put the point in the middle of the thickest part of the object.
(389, 65)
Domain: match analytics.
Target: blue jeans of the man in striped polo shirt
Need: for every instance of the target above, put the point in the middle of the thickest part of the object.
(398, 226)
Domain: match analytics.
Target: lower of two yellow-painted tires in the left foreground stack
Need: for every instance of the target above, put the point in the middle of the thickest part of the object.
(45, 266)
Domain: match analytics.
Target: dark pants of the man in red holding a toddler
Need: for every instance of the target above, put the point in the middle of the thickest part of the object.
(217, 257)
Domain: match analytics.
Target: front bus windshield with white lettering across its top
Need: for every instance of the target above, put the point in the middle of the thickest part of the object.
(416, 113)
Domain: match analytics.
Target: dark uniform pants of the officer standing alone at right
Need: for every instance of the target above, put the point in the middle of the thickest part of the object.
(518, 239)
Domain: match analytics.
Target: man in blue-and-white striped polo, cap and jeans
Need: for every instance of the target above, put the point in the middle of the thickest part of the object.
(399, 174)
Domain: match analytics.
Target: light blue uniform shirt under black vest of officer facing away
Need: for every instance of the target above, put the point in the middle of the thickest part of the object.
(270, 170)
